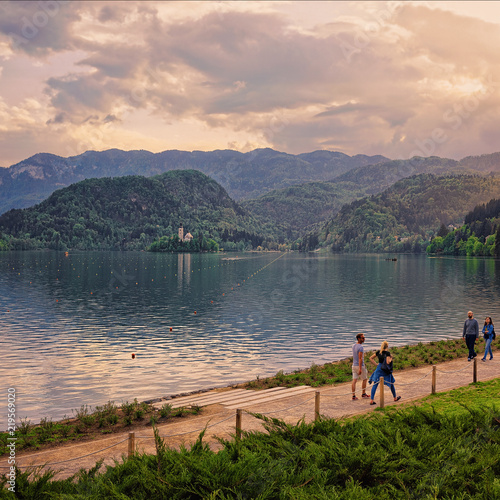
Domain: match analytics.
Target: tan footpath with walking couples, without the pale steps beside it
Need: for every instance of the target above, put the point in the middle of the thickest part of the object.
(188, 429)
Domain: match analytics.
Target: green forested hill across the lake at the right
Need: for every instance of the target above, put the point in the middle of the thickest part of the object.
(405, 216)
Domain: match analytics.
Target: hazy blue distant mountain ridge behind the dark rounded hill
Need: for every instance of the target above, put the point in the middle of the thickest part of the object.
(243, 175)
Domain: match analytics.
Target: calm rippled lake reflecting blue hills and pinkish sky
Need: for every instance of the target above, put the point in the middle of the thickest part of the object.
(69, 323)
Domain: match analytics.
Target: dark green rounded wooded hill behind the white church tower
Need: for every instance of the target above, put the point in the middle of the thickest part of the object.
(130, 213)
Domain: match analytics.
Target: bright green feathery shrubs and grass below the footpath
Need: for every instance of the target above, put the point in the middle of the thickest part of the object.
(413, 452)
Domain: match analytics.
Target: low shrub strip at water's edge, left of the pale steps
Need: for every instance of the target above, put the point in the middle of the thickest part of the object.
(89, 424)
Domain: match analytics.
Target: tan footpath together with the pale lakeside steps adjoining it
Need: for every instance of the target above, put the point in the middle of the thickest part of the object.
(219, 414)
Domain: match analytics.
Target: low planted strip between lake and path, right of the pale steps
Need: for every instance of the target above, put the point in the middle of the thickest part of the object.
(405, 357)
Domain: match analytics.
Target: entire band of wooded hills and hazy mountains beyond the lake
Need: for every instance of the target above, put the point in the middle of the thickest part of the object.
(311, 213)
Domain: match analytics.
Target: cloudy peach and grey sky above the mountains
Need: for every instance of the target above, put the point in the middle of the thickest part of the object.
(396, 78)
